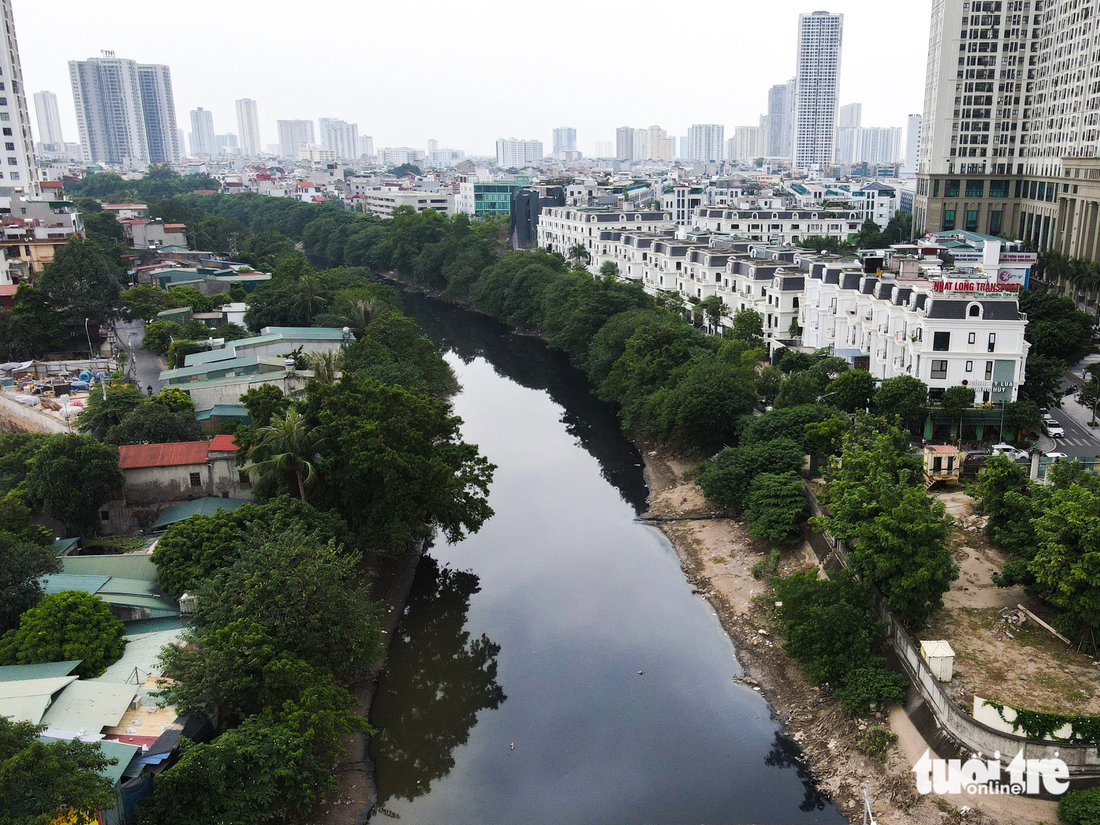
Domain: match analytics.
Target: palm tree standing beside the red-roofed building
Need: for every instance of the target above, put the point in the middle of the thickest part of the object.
(287, 450)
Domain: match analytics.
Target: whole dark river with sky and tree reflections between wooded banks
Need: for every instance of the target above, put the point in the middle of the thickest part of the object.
(556, 668)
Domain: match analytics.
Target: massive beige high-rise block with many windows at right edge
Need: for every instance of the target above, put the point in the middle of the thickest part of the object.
(1010, 140)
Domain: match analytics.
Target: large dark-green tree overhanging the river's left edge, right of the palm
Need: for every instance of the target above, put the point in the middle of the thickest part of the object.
(394, 464)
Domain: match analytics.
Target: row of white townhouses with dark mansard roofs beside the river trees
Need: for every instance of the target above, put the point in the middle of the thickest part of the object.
(945, 327)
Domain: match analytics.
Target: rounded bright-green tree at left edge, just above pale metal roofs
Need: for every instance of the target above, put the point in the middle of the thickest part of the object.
(64, 628)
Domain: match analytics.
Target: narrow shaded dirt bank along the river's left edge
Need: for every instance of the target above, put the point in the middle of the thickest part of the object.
(391, 582)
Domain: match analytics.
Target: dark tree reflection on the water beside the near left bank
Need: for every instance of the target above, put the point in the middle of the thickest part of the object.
(426, 708)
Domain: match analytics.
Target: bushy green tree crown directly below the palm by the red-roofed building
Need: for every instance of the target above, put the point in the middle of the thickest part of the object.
(193, 552)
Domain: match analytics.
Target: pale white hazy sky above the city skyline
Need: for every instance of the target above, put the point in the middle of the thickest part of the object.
(468, 73)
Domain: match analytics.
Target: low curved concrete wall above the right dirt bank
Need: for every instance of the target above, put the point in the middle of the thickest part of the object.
(960, 727)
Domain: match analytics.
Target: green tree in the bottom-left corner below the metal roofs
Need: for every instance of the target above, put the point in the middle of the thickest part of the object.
(41, 780)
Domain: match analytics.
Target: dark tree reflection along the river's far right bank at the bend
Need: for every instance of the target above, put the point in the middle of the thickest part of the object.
(531, 364)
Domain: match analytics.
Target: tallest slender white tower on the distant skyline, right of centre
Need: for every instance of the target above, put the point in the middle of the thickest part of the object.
(817, 83)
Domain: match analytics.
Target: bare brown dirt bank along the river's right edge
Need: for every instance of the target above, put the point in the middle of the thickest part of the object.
(718, 557)
